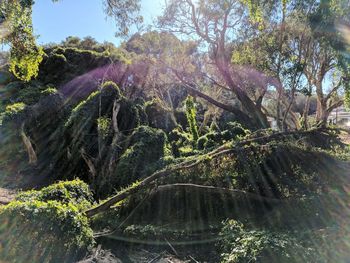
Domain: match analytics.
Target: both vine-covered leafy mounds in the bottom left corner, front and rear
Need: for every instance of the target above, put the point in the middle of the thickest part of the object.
(51, 221)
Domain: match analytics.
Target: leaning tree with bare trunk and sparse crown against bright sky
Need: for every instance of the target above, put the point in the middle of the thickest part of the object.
(213, 23)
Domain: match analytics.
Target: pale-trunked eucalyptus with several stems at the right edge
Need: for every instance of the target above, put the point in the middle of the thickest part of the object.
(311, 30)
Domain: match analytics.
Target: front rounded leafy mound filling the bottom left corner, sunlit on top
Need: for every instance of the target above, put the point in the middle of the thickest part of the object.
(38, 231)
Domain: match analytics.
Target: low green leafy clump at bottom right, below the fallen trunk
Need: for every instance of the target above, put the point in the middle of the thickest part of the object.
(242, 245)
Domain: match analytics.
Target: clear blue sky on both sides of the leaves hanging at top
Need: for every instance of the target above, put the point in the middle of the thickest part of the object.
(53, 22)
